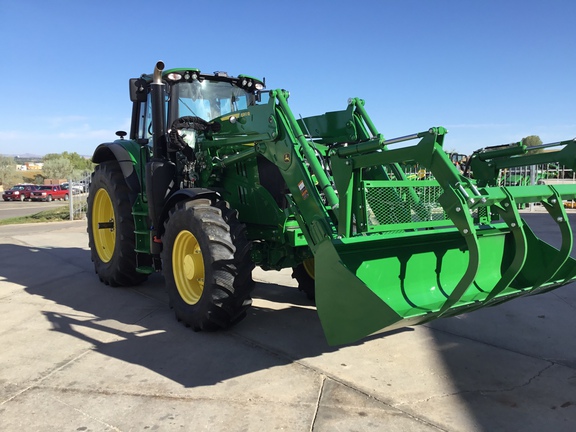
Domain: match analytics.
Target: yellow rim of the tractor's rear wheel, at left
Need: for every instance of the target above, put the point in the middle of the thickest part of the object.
(103, 227)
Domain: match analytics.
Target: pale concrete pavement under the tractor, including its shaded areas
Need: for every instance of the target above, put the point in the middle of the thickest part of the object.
(80, 356)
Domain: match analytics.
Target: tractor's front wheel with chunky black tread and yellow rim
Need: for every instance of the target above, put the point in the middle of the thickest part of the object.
(207, 265)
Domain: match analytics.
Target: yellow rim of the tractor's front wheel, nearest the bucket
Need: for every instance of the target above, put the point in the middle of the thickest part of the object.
(188, 267)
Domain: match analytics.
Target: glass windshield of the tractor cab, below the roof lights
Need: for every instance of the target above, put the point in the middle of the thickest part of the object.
(207, 99)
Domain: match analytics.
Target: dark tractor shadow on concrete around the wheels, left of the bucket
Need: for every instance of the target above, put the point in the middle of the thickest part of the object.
(137, 326)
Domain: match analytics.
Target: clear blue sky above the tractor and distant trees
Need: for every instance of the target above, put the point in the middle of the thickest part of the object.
(490, 71)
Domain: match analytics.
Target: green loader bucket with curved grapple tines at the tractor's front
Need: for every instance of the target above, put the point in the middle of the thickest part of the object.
(367, 284)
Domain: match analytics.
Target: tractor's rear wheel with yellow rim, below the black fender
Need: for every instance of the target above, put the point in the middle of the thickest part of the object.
(112, 248)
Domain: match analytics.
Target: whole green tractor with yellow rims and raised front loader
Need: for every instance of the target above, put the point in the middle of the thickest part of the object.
(217, 176)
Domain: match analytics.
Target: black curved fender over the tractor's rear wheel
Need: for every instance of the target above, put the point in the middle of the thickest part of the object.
(127, 156)
